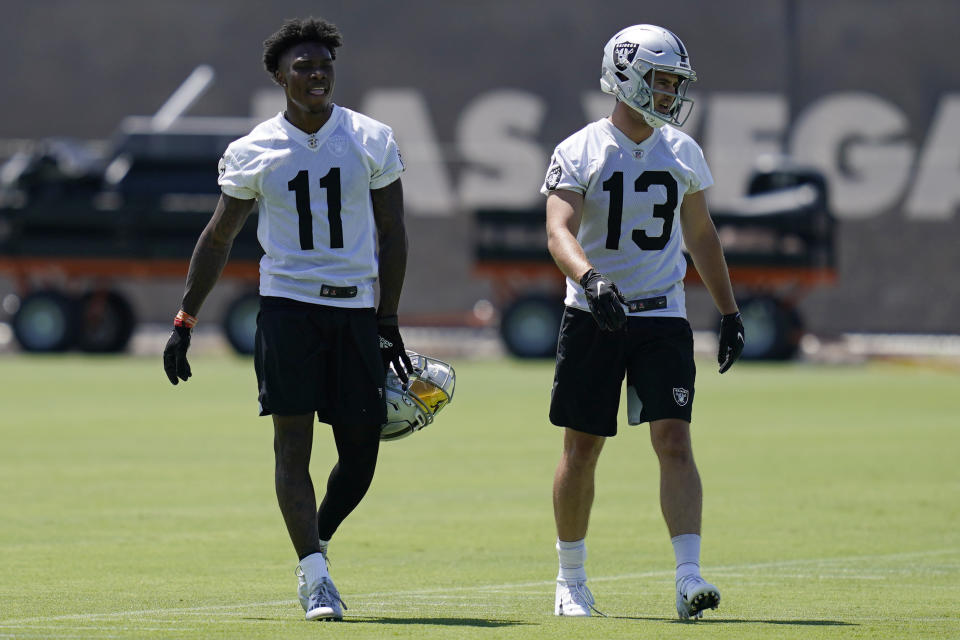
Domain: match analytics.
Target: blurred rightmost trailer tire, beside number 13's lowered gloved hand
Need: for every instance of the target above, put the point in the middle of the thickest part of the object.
(773, 329)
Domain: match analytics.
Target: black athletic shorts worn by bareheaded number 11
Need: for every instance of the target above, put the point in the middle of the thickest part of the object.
(311, 357)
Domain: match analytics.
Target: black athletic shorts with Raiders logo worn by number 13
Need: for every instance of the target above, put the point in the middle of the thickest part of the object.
(656, 354)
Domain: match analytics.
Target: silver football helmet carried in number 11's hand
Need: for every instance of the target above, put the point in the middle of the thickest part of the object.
(412, 407)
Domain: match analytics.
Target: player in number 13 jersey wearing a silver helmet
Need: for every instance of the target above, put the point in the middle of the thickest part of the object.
(624, 194)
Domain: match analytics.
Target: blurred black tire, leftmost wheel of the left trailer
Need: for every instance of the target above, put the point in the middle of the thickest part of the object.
(45, 322)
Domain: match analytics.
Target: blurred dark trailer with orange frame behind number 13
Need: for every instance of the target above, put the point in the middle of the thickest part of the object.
(779, 244)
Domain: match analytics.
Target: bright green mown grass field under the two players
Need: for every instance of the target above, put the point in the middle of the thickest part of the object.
(133, 509)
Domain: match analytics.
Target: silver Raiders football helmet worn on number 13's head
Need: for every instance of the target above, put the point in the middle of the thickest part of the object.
(631, 60)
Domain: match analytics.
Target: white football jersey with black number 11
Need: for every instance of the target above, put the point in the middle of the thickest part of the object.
(316, 222)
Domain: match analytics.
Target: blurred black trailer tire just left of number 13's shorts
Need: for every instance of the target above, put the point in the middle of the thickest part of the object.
(529, 326)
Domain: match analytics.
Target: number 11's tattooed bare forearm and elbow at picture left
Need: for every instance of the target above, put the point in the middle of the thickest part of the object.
(213, 249)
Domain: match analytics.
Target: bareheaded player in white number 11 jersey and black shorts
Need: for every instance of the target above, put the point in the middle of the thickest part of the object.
(327, 184)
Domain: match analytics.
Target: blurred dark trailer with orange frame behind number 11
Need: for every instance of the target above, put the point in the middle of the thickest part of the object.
(76, 219)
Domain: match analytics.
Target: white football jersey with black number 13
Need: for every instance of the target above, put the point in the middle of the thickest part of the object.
(630, 230)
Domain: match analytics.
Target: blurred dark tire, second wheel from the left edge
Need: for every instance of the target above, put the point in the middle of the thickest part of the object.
(105, 322)
